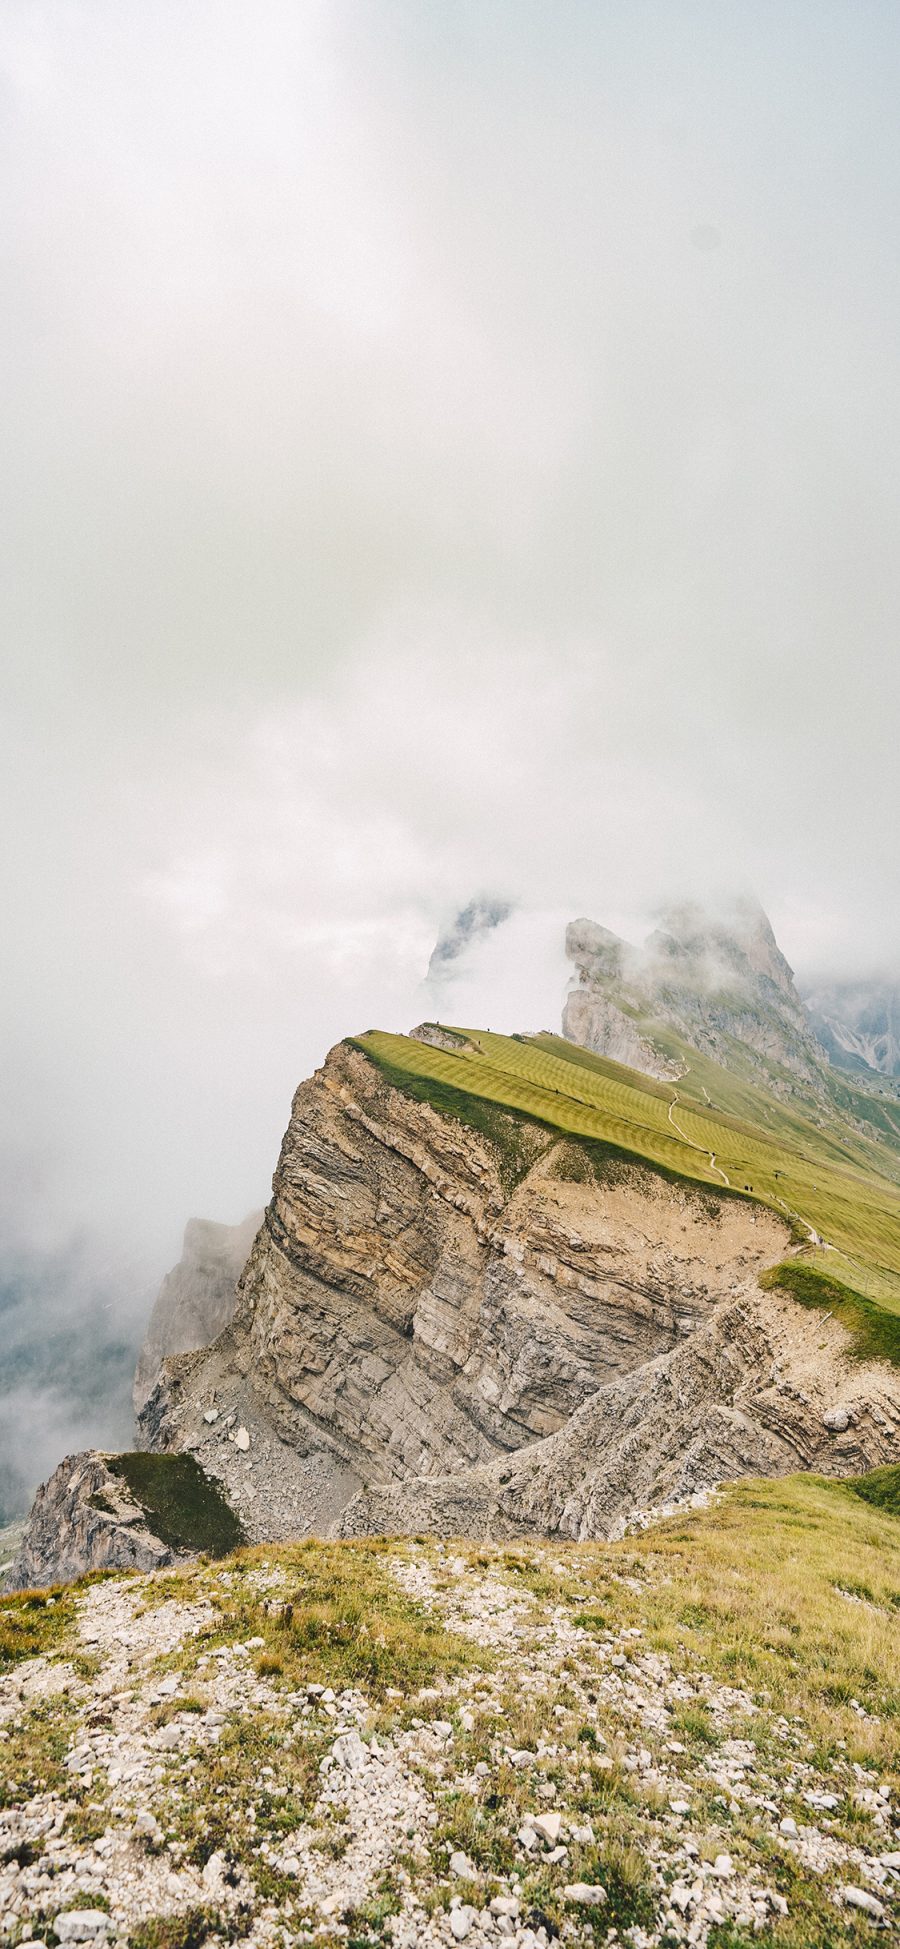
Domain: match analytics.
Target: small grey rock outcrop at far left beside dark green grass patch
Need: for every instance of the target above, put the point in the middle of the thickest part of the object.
(85, 1519)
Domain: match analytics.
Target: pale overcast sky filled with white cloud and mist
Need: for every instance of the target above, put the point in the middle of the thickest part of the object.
(451, 449)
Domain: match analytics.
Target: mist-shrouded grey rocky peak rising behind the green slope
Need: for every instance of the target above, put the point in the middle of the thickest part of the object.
(716, 979)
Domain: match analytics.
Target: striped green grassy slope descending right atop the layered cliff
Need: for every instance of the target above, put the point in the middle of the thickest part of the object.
(841, 1188)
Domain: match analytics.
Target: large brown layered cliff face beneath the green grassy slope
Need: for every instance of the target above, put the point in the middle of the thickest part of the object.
(492, 1338)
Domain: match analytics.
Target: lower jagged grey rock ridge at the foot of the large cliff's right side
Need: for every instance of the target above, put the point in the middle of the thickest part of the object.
(763, 1389)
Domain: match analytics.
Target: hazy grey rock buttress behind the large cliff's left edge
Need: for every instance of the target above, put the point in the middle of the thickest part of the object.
(196, 1301)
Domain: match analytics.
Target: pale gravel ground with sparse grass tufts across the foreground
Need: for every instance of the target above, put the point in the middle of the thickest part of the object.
(572, 1784)
